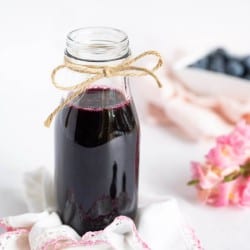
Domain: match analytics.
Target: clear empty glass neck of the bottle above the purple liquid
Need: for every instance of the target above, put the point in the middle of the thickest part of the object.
(100, 46)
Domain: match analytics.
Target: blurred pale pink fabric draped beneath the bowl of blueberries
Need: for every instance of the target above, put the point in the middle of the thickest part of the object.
(184, 112)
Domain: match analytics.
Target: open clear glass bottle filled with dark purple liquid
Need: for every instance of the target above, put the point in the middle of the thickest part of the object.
(97, 138)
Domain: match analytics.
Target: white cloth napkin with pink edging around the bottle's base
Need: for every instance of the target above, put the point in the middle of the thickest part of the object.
(160, 226)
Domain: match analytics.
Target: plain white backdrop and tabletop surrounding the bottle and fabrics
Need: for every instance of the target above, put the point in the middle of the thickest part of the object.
(32, 40)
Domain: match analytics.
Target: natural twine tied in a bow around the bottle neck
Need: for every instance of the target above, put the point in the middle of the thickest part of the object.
(125, 68)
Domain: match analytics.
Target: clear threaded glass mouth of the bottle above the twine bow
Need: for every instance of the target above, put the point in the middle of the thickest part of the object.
(97, 44)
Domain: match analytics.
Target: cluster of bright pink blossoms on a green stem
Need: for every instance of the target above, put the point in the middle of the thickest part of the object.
(223, 178)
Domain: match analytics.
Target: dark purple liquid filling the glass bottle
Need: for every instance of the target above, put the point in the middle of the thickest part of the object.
(97, 160)
